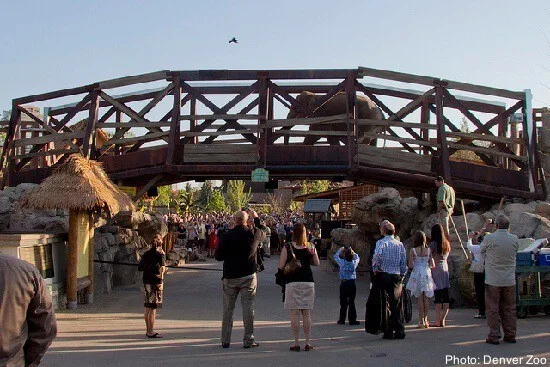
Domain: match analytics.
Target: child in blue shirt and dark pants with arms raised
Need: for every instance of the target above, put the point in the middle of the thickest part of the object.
(347, 273)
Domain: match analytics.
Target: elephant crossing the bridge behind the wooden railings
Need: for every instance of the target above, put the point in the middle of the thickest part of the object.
(366, 109)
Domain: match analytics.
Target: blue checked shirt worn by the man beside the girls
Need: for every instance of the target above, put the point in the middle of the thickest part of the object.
(389, 256)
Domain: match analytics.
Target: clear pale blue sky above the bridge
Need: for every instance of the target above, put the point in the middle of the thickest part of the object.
(48, 45)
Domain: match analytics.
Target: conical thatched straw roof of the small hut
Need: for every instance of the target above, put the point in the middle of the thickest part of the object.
(79, 184)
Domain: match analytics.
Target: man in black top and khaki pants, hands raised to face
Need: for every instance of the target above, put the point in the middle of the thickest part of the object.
(238, 250)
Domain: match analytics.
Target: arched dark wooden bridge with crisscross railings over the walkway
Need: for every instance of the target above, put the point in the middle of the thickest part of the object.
(218, 124)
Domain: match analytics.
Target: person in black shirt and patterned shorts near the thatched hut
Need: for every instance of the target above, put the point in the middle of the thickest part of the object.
(153, 265)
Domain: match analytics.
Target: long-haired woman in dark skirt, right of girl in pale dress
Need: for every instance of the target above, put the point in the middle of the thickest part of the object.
(440, 249)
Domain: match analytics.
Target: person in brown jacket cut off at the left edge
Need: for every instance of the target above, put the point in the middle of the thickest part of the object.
(27, 320)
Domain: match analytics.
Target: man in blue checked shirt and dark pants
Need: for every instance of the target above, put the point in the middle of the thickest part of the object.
(389, 263)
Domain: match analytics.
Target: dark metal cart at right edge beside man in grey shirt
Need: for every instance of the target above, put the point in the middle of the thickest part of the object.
(531, 303)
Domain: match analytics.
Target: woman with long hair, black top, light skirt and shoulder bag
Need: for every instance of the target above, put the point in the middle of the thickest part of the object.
(300, 286)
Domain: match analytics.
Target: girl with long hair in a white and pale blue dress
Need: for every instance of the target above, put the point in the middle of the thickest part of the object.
(421, 283)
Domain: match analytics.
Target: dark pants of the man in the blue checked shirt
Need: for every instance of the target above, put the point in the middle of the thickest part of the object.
(392, 286)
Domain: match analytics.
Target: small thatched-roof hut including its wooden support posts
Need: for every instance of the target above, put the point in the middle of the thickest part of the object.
(81, 186)
